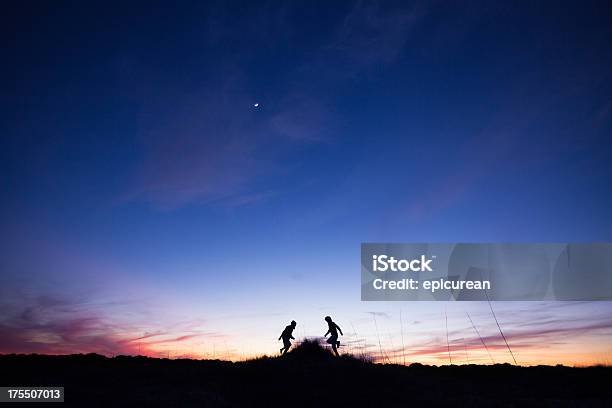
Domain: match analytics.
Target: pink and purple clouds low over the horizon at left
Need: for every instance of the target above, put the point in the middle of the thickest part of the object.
(52, 325)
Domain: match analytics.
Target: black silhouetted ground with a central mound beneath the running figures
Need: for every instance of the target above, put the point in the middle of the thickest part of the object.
(308, 376)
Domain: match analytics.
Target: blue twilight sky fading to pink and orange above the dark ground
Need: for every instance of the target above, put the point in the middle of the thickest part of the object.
(149, 207)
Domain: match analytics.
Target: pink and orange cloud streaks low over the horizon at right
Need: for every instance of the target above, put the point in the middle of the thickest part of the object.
(552, 329)
